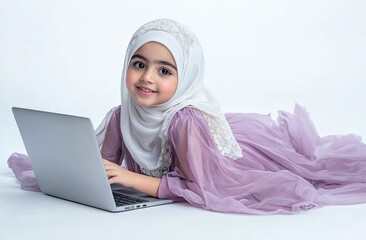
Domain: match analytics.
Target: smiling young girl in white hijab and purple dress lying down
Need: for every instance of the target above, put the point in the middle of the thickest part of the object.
(169, 139)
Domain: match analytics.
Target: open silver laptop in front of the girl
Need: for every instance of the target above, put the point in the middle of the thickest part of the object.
(67, 162)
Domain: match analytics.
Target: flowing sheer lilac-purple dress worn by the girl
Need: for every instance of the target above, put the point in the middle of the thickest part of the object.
(286, 167)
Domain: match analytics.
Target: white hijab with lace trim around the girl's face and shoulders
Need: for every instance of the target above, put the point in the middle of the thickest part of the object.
(144, 130)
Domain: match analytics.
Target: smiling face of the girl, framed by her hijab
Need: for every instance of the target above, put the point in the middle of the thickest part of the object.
(152, 76)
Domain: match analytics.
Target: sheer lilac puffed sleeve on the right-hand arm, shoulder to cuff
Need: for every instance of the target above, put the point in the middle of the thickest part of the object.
(195, 154)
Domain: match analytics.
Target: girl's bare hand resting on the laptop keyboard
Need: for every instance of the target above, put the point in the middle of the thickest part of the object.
(118, 174)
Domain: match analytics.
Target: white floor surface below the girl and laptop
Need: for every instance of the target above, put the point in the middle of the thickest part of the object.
(33, 215)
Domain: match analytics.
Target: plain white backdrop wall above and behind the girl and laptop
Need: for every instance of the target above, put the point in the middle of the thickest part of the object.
(261, 56)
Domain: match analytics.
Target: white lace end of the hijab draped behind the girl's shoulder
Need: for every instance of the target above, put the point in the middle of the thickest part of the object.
(223, 136)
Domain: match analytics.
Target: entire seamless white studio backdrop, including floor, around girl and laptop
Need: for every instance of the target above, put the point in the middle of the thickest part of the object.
(261, 56)
